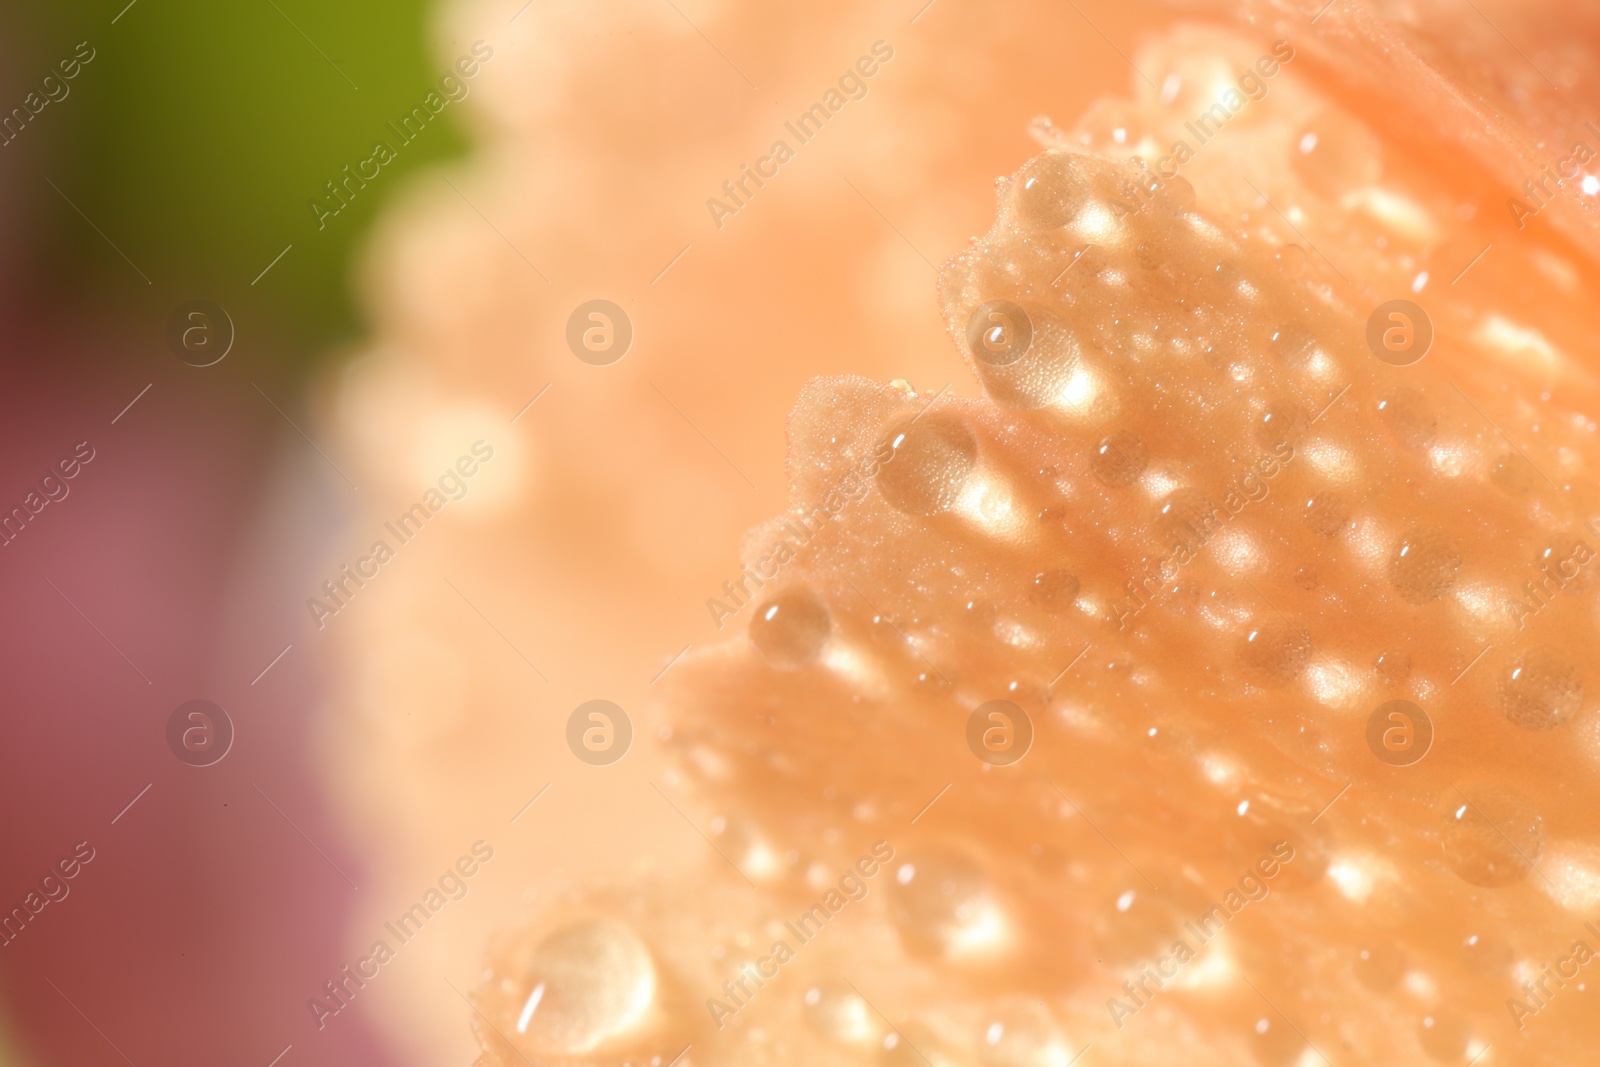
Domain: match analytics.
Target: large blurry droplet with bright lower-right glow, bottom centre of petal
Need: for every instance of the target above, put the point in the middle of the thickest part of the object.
(942, 905)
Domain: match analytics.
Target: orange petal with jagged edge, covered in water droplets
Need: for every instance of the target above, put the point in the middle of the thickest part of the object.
(1218, 687)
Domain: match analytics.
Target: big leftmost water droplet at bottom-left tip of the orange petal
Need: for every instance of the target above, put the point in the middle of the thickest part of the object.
(588, 985)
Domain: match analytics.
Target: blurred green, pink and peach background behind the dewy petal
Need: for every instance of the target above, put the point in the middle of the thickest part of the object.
(375, 342)
